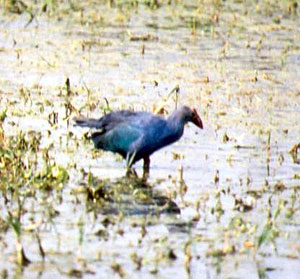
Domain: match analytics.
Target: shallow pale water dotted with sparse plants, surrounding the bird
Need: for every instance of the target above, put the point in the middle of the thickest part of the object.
(235, 182)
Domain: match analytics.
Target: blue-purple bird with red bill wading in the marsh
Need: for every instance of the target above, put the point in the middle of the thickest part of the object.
(137, 135)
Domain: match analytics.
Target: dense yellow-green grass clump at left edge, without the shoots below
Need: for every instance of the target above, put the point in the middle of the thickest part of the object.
(19, 167)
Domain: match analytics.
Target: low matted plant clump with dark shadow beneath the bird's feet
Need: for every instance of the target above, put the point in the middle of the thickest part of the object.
(125, 196)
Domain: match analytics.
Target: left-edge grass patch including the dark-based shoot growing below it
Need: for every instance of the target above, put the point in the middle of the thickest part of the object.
(22, 178)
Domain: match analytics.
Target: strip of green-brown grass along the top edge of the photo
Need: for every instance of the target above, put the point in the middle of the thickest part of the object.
(196, 15)
